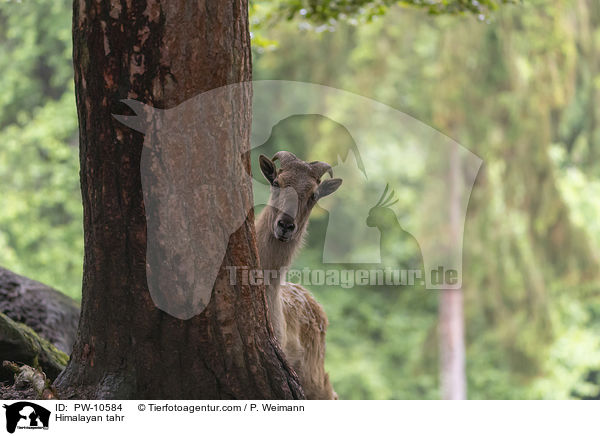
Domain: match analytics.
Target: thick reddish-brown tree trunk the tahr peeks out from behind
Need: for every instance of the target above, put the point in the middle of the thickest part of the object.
(160, 53)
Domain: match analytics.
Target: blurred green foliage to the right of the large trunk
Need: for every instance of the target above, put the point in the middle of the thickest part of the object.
(516, 92)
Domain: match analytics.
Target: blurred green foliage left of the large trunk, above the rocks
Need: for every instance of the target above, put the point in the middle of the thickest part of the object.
(40, 205)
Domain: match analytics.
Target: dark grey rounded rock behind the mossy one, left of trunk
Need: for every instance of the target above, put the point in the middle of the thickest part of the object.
(52, 315)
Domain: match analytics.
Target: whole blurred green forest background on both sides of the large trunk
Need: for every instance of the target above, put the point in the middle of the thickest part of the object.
(518, 87)
